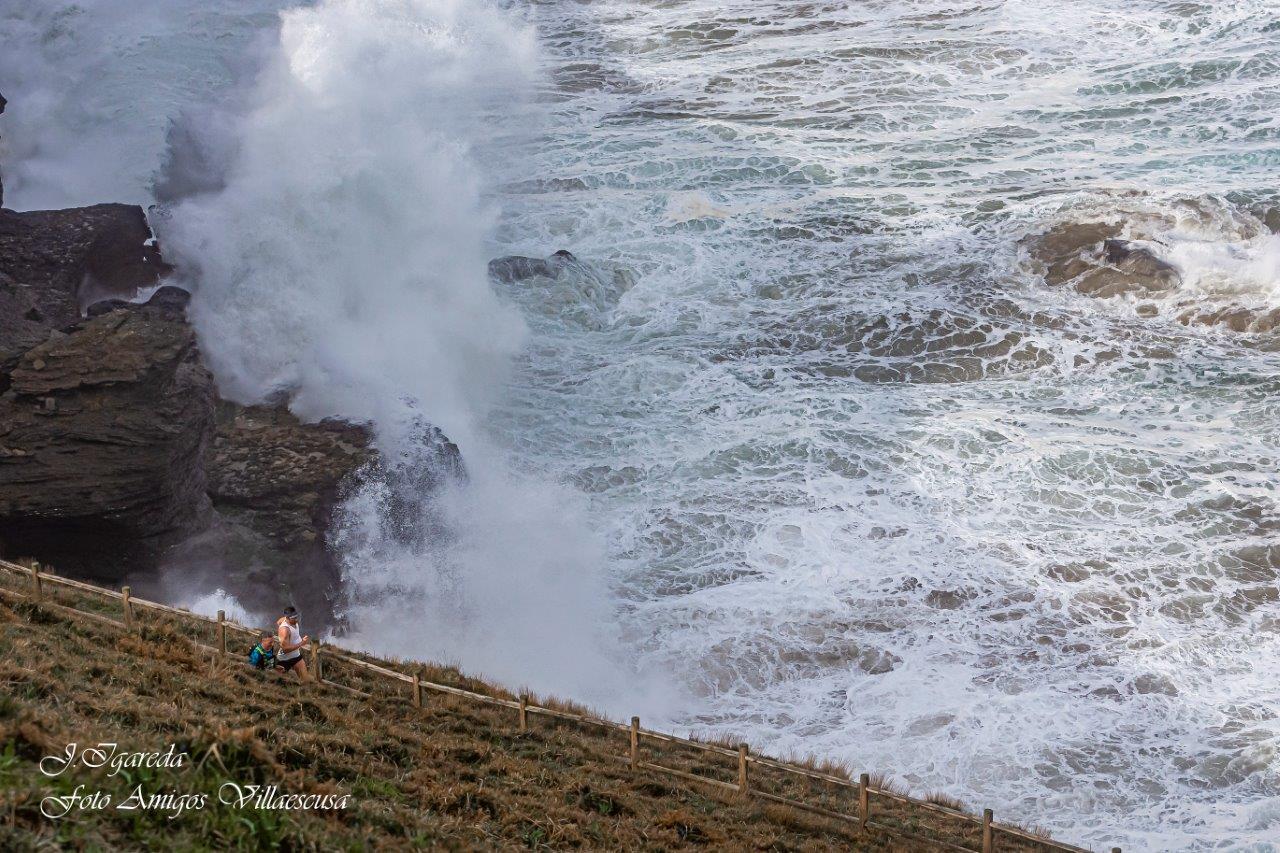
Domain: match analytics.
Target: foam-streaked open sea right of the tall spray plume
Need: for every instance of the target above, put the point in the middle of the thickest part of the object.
(874, 490)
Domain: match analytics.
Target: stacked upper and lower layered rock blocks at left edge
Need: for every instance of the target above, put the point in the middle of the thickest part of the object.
(103, 419)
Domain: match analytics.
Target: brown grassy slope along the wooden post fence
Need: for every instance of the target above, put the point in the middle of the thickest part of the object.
(455, 774)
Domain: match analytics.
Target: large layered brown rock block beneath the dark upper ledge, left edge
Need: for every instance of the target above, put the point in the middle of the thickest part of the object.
(103, 432)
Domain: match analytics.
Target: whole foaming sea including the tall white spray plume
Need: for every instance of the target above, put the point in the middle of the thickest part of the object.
(807, 432)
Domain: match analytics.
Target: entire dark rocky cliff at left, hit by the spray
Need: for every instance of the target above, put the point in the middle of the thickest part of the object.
(117, 455)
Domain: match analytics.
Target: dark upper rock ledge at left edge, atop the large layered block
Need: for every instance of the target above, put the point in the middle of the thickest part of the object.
(56, 263)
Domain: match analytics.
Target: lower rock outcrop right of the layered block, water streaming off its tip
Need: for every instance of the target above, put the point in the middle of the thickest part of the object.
(277, 483)
